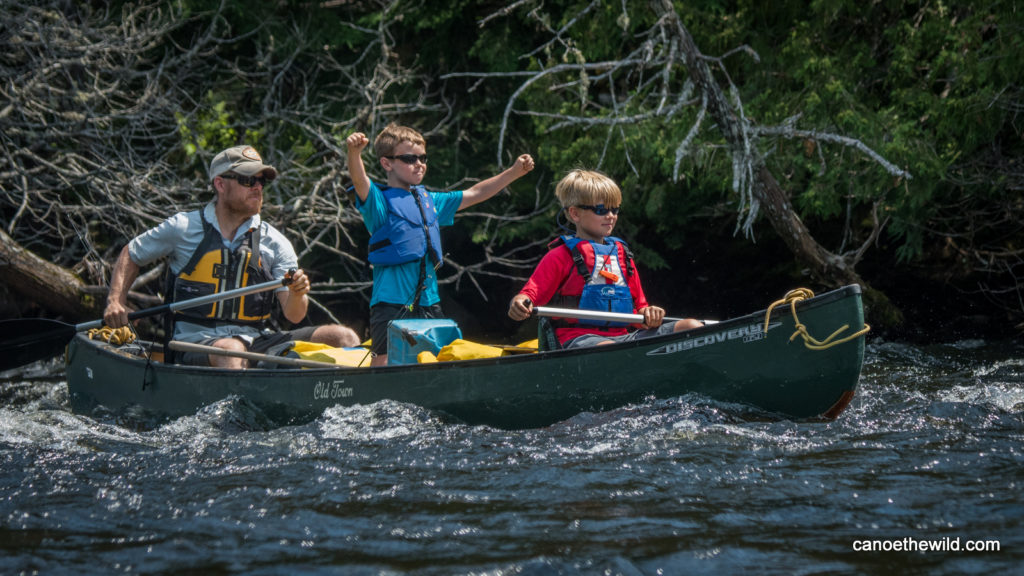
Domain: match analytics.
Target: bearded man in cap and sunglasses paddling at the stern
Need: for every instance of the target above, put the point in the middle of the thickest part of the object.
(221, 248)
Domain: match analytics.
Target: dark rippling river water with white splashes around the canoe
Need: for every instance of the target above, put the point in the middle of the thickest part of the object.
(930, 455)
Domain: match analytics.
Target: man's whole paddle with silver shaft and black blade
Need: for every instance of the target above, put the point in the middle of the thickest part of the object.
(29, 340)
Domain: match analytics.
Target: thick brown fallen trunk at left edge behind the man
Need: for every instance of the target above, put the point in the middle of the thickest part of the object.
(45, 284)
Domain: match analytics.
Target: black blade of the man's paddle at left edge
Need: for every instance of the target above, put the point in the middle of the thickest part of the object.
(26, 341)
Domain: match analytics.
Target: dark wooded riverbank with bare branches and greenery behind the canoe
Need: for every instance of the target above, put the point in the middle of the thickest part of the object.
(761, 147)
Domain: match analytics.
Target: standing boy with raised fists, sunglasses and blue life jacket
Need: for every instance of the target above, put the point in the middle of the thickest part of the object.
(405, 222)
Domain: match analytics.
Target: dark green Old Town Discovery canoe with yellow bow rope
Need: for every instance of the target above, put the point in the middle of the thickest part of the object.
(777, 372)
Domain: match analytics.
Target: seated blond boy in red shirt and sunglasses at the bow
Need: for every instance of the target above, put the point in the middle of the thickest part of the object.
(592, 270)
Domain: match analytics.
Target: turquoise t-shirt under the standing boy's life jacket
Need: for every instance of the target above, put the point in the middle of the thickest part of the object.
(397, 284)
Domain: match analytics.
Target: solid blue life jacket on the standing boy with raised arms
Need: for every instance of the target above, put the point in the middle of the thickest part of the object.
(411, 231)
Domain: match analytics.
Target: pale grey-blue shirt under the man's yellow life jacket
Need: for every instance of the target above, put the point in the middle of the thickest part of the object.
(179, 237)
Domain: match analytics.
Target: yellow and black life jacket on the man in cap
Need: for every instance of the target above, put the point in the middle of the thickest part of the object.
(215, 269)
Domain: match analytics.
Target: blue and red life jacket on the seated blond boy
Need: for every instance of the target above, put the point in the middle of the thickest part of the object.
(605, 283)
